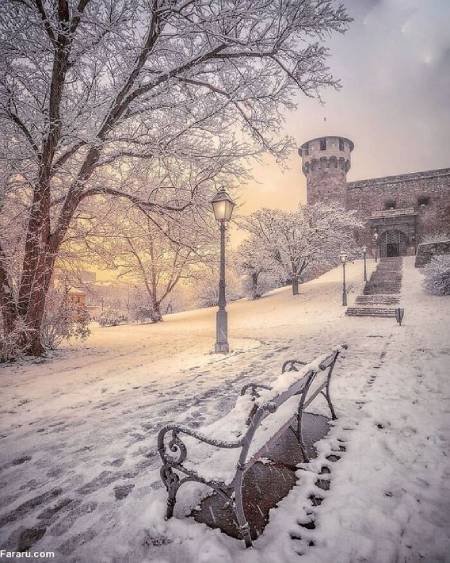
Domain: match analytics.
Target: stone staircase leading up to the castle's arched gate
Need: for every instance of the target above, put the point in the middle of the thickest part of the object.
(381, 292)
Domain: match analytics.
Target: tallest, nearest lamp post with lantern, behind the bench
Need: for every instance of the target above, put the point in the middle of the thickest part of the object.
(223, 208)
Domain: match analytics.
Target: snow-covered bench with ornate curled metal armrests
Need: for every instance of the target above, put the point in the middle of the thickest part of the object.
(239, 439)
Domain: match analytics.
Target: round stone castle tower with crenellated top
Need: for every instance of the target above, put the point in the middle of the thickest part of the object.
(325, 163)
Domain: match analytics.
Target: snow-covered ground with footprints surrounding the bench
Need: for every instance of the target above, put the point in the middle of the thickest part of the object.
(79, 467)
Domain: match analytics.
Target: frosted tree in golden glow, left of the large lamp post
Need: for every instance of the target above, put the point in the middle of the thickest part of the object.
(152, 258)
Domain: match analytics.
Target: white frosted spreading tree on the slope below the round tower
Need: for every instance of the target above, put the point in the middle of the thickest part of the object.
(295, 241)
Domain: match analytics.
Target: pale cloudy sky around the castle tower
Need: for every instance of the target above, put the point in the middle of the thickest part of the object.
(394, 64)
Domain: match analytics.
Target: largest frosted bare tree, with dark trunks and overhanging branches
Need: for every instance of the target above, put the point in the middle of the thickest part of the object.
(96, 92)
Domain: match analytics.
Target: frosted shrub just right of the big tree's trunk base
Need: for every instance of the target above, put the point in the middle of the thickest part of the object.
(63, 320)
